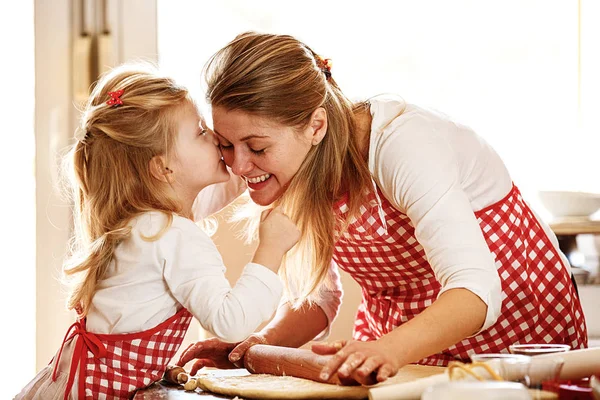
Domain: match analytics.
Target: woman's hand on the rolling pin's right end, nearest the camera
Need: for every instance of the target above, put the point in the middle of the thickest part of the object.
(365, 362)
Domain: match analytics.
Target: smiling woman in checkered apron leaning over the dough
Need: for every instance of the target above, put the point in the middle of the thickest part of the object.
(415, 206)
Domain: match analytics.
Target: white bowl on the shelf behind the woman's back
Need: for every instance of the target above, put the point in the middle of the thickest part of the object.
(563, 204)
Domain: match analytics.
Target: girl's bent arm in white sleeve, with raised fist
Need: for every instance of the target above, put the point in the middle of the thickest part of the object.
(195, 275)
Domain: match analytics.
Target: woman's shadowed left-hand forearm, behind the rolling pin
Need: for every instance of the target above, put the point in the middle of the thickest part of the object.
(293, 328)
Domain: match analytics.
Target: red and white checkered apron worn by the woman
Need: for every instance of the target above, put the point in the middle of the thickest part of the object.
(539, 303)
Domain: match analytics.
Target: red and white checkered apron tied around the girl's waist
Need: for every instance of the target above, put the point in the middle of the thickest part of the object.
(115, 366)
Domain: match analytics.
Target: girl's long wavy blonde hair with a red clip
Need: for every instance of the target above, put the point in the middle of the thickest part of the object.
(110, 165)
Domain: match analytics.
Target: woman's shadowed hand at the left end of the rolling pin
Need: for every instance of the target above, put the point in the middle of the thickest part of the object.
(216, 353)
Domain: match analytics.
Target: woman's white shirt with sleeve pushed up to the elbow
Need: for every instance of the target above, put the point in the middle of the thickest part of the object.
(439, 172)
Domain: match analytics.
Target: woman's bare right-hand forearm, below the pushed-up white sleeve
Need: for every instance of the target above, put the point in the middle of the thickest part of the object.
(455, 315)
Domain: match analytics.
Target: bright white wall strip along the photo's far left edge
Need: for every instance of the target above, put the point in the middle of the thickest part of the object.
(17, 202)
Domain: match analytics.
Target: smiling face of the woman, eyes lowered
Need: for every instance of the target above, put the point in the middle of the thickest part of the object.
(266, 154)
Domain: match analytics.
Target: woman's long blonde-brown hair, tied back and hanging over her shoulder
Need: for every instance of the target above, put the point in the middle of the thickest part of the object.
(281, 78)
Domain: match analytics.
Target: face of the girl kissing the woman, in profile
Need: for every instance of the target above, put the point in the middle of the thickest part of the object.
(197, 160)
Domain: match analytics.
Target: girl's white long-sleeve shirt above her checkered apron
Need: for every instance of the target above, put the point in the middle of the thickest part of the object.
(149, 281)
